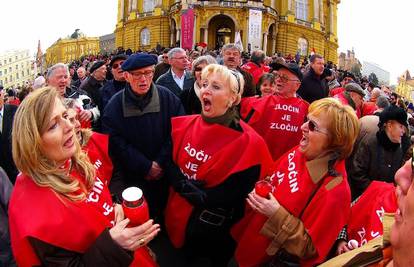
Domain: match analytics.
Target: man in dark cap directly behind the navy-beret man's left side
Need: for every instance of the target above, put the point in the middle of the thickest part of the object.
(118, 82)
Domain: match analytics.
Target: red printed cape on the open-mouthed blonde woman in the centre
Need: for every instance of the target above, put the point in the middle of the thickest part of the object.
(209, 153)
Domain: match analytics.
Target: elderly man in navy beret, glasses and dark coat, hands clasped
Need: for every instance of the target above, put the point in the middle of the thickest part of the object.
(138, 121)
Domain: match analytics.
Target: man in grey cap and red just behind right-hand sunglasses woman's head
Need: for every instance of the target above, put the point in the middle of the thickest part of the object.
(352, 96)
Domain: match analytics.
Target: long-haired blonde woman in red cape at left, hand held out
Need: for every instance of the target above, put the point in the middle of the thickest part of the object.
(61, 210)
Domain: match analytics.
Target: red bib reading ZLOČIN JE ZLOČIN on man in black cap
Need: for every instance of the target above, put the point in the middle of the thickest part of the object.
(278, 120)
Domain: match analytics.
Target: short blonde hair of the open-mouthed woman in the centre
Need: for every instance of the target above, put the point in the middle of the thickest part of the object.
(233, 78)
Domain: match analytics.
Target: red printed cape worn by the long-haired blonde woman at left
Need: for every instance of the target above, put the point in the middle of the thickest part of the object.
(39, 212)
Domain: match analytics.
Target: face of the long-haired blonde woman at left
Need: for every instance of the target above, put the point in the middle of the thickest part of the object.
(58, 141)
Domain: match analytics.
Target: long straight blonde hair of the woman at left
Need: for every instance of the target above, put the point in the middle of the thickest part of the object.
(30, 123)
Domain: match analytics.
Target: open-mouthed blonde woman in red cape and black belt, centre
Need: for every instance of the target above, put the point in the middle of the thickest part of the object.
(216, 160)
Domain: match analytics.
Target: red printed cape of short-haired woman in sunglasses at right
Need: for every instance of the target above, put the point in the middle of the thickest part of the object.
(293, 189)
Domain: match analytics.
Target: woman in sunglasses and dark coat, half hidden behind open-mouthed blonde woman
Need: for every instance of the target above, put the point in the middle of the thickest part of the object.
(190, 97)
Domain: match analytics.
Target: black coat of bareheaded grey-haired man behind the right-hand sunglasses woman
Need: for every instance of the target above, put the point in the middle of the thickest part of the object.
(313, 87)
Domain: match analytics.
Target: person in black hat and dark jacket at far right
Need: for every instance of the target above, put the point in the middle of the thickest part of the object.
(380, 154)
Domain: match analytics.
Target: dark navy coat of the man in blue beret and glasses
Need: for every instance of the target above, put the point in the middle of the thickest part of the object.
(138, 137)
